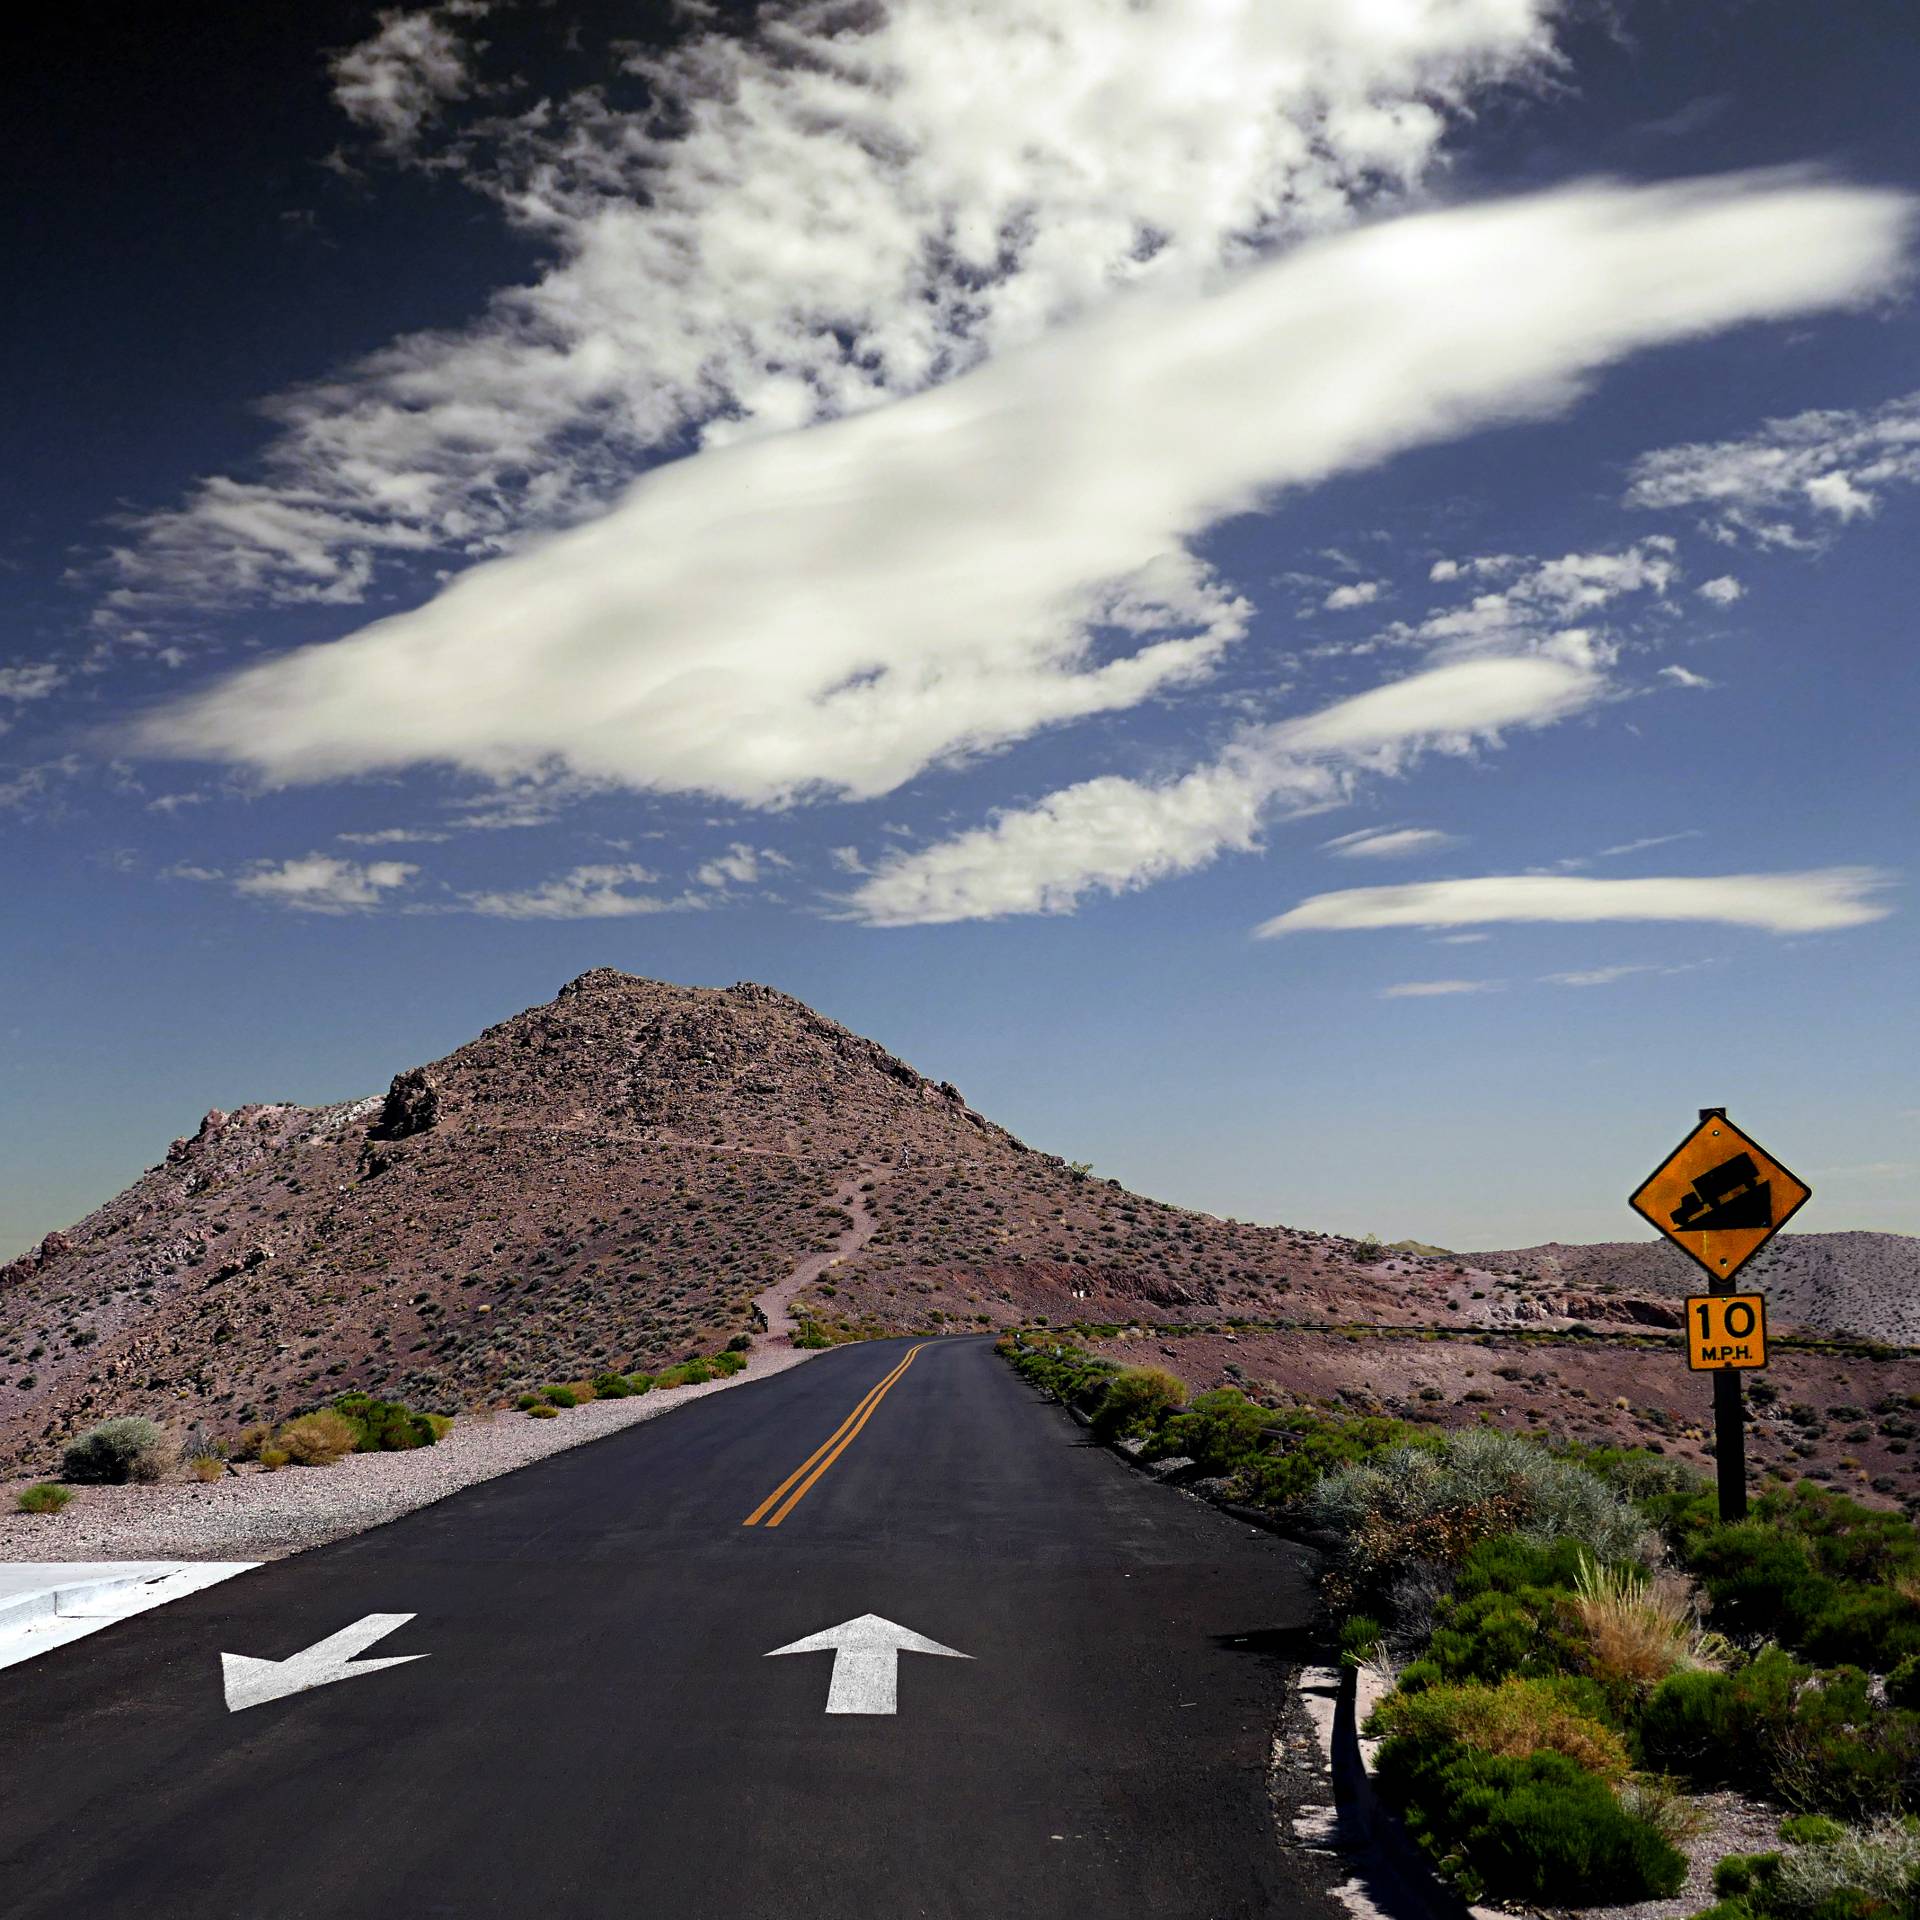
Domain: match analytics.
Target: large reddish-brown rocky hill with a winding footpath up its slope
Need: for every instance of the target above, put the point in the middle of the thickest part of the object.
(635, 1174)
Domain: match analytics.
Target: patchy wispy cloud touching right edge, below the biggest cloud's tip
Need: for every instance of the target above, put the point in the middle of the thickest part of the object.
(1833, 462)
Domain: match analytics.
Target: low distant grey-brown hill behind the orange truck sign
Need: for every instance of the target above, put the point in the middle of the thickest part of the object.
(1861, 1284)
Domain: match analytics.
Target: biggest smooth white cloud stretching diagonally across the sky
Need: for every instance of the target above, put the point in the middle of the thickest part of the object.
(842, 608)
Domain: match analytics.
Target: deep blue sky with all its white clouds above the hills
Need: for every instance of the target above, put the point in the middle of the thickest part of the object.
(1312, 606)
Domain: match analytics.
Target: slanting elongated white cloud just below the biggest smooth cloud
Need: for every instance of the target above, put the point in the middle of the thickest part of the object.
(1116, 834)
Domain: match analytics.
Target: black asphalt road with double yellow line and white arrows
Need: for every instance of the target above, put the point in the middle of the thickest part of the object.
(596, 1729)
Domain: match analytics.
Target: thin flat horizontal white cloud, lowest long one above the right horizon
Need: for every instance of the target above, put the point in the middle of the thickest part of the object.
(1781, 903)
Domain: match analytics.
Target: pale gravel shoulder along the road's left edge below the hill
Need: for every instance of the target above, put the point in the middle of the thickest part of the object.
(270, 1516)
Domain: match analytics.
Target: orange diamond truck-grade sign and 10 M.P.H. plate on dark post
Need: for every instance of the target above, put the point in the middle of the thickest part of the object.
(1721, 1199)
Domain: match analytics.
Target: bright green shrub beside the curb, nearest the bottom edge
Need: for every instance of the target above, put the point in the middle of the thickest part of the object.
(1537, 1829)
